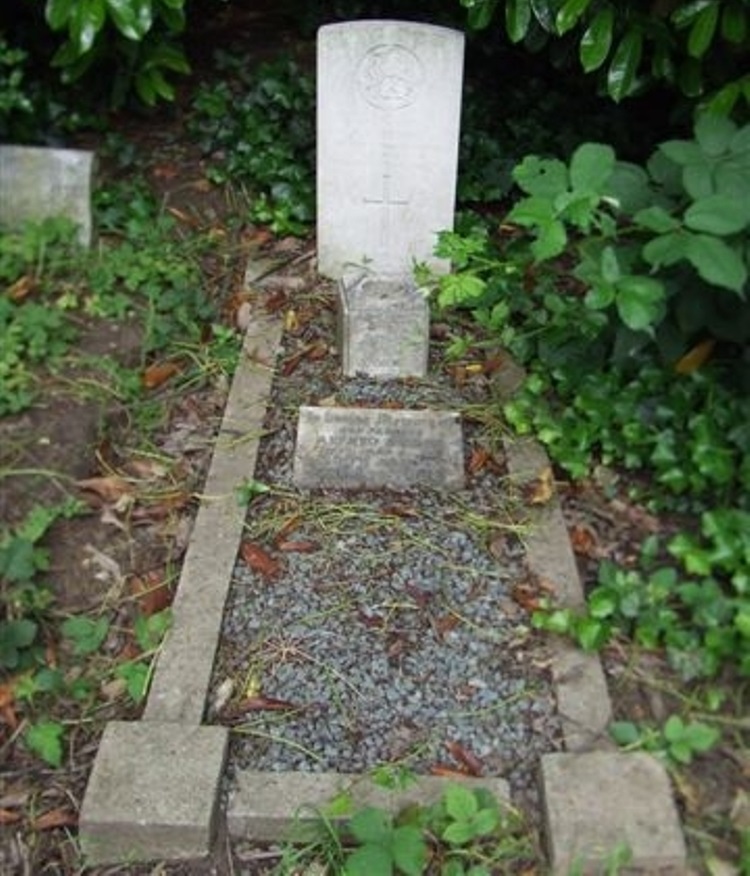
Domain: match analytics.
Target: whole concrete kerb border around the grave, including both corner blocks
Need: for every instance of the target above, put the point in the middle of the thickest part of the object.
(154, 789)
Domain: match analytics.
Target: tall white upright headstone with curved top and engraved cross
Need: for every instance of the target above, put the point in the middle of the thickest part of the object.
(389, 103)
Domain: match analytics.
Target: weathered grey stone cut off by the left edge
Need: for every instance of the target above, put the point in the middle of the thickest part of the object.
(38, 183)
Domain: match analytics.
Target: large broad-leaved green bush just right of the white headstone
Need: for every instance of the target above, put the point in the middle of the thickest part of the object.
(659, 250)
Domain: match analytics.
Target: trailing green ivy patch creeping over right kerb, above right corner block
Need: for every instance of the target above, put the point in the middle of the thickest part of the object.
(698, 612)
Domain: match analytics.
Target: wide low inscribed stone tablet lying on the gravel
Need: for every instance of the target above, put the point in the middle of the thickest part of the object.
(370, 448)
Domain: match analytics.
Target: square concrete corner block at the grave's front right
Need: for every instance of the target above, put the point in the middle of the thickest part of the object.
(597, 802)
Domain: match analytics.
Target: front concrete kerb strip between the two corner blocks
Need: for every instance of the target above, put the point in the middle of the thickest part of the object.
(268, 807)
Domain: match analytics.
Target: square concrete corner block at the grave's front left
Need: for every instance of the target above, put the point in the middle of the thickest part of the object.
(153, 793)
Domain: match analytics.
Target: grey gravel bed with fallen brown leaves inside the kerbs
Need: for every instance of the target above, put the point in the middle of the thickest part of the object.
(380, 627)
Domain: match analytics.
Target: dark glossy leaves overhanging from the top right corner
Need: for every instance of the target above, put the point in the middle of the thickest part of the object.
(699, 46)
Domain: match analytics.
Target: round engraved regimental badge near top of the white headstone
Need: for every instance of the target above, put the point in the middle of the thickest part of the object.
(389, 77)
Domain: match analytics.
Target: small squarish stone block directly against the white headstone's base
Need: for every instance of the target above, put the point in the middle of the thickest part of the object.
(384, 328)
